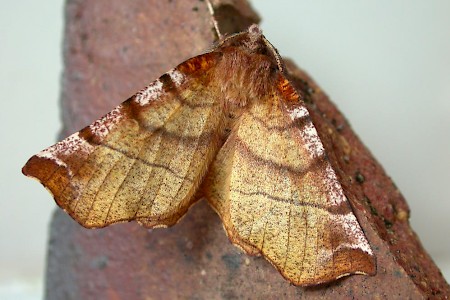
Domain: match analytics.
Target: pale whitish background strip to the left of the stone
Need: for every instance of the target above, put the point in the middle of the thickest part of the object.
(30, 66)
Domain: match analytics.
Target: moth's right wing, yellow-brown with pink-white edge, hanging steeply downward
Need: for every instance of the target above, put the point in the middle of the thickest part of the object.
(278, 195)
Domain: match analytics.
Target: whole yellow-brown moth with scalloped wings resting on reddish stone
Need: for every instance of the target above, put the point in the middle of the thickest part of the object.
(227, 126)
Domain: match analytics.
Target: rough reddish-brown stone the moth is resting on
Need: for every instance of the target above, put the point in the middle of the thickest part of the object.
(112, 49)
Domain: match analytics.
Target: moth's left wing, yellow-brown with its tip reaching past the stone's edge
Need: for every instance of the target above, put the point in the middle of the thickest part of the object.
(145, 159)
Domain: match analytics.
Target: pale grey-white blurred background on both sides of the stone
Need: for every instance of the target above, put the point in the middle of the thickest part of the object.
(385, 63)
